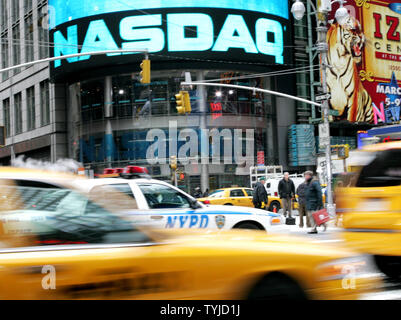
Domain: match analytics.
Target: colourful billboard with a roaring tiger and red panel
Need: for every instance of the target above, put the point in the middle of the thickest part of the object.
(365, 59)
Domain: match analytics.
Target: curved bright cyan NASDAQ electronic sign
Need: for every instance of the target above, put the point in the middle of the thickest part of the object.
(220, 31)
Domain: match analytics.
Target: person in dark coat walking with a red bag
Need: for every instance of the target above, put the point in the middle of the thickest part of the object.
(314, 199)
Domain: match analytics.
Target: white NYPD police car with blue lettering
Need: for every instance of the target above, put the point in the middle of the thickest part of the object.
(161, 205)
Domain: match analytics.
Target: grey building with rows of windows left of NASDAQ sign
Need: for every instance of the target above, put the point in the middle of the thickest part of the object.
(32, 108)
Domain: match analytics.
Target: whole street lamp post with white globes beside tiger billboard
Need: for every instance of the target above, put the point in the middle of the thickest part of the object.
(298, 11)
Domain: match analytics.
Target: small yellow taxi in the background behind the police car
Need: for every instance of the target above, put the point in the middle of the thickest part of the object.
(238, 197)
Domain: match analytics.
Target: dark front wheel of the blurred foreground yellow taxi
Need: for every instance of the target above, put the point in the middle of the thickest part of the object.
(277, 286)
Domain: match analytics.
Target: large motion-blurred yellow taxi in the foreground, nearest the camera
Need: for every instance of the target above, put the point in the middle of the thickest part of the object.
(59, 243)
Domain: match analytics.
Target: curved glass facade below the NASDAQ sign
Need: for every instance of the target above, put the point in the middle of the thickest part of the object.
(120, 121)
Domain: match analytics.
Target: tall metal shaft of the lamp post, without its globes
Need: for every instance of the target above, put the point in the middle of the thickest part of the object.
(323, 49)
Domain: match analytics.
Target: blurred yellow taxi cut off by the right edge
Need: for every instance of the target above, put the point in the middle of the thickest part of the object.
(371, 207)
